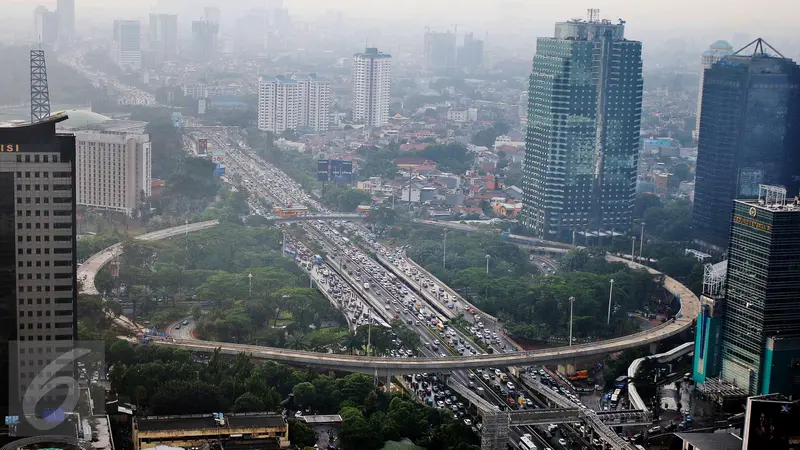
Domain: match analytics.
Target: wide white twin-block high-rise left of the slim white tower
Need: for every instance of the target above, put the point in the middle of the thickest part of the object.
(289, 103)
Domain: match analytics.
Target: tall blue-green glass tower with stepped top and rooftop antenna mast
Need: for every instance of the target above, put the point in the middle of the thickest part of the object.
(581, 149)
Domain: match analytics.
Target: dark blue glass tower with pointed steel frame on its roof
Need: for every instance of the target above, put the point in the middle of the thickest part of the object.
(749, 134)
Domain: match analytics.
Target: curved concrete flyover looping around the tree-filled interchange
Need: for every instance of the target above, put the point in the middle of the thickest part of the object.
(683, 321)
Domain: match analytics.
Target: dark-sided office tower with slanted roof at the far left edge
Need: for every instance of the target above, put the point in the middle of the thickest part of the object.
(38, 286)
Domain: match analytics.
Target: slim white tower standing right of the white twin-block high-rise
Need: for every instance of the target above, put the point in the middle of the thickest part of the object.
(372, 85)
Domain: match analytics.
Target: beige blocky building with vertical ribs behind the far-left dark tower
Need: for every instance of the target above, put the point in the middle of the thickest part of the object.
(113, 161)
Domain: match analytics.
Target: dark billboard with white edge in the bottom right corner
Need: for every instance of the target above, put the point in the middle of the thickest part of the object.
(771, 424)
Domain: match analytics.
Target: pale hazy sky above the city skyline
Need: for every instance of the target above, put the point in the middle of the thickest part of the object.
(658, 14)
